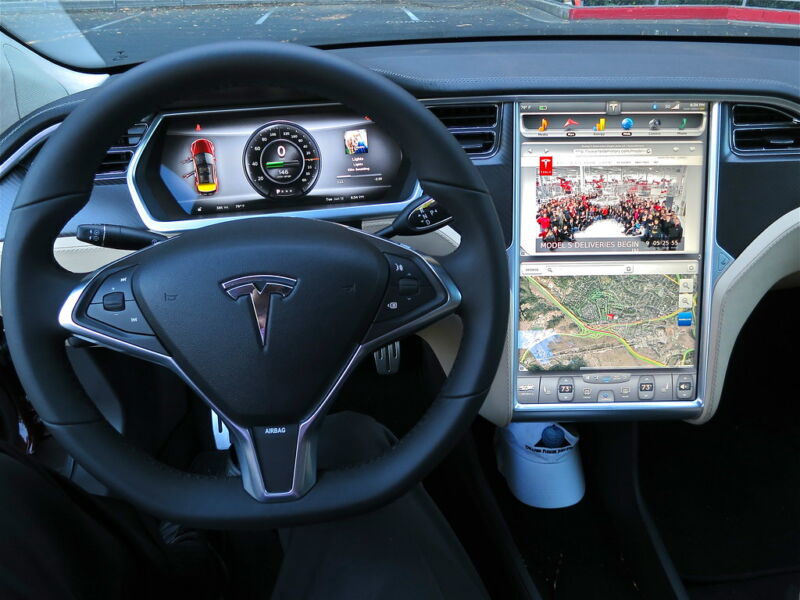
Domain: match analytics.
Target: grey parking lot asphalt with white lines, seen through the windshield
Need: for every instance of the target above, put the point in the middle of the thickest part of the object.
(138, 33)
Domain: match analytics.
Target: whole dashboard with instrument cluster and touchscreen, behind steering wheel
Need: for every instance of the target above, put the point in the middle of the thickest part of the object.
(640, 229)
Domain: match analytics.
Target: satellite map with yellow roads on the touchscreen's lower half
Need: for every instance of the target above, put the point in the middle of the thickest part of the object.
(606, 321)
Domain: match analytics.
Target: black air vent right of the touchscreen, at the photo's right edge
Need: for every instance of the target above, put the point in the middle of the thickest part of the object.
(763, 129)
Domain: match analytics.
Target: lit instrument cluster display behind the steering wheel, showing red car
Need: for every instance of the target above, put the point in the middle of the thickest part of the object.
(233, 161)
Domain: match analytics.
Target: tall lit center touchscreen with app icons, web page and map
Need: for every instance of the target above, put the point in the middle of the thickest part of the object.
(610, 235)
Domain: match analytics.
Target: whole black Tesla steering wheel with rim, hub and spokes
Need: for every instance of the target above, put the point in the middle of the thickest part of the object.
(240, 309)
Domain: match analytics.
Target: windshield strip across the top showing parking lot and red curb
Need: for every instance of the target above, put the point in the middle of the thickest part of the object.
(94, 34)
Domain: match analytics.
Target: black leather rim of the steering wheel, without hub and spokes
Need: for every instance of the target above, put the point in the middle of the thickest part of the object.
(34, 286)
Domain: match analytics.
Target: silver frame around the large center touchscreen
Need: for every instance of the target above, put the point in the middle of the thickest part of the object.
(706, 258)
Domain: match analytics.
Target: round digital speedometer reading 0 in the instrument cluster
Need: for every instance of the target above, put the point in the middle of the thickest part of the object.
(282, 160)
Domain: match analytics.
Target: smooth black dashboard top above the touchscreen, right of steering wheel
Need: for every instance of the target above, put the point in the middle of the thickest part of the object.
(581, 66)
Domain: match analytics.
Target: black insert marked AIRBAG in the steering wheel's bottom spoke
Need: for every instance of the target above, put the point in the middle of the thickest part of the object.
(276, 447)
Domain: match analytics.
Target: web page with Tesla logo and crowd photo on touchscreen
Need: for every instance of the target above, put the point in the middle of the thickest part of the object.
(611, 198)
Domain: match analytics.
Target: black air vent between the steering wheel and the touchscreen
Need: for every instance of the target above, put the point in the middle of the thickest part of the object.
(475, 126)
